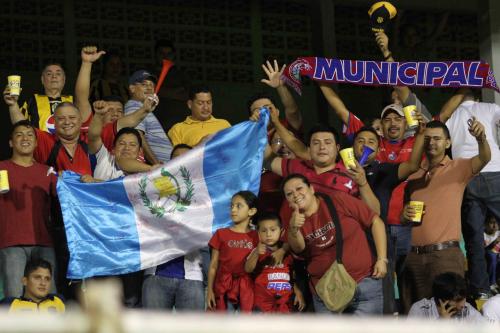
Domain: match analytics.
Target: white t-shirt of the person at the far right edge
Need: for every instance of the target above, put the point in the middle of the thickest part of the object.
(463, 144)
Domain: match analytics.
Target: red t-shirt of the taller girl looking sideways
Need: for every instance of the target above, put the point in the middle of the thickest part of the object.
(234, 247)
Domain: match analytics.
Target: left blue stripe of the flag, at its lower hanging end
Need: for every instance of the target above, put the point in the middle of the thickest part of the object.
(100, 227)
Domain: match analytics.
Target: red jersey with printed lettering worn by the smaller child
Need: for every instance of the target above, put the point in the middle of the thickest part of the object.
(273, 286)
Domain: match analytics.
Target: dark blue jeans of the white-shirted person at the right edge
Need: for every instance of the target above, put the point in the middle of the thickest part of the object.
(482, 194)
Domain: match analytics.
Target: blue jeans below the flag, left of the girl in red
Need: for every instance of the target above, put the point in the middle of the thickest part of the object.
(160, 292)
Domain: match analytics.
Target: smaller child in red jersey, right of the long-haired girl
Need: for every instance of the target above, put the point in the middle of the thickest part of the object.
(273, 285)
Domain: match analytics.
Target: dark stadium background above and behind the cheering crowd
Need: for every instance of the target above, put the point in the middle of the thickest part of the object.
(224, 42)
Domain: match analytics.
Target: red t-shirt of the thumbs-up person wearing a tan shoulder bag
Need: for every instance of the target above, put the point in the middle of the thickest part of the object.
(319, 235)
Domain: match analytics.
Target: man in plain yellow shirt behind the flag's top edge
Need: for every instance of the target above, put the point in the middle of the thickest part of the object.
(201, 123)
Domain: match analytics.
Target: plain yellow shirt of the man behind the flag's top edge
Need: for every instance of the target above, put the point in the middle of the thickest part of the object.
(191, 132)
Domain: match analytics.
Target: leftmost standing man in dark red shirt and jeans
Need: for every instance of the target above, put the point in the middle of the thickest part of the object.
(24, 210)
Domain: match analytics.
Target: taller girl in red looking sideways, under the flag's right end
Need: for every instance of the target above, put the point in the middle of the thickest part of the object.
(227, 279)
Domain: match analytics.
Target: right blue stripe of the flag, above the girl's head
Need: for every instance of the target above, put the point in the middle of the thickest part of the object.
(242, 165)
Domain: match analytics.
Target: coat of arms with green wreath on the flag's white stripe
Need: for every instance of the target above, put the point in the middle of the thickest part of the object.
(173, 192)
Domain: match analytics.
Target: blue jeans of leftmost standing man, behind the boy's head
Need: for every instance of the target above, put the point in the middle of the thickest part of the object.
(13, 261)
